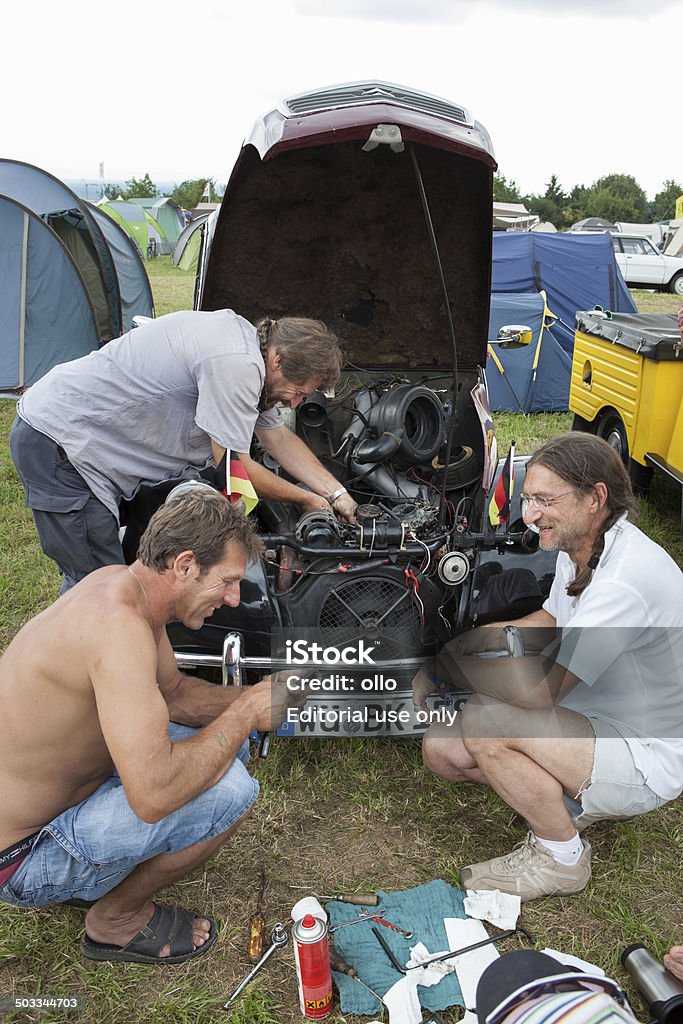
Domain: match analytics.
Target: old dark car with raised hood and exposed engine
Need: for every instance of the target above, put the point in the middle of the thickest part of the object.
(369, 206)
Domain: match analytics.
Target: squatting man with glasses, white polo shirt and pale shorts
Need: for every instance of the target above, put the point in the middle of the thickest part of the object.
(589, 723)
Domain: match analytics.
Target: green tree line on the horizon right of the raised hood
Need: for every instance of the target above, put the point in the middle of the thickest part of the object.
(616, 197)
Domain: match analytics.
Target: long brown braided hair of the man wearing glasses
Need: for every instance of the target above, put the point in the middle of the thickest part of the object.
(584, 460)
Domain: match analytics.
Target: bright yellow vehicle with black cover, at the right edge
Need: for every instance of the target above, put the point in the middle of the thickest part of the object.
(627, 387)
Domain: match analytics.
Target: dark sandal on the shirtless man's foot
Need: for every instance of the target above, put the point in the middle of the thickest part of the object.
(169, 926)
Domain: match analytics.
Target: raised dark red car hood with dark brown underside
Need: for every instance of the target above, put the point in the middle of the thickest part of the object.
(322, 218)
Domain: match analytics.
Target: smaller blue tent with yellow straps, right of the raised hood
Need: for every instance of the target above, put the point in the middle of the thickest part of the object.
(535, 377)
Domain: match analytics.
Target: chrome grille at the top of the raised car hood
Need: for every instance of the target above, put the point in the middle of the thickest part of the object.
(362, 94)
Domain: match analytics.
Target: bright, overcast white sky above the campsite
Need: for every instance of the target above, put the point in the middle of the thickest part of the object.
(576, 89)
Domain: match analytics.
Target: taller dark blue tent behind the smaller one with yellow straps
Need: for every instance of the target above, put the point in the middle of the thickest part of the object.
(576, 272)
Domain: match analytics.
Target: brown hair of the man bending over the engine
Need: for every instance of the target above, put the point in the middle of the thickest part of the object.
(308, 350)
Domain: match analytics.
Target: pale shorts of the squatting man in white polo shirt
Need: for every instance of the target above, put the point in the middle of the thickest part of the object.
(617, 788)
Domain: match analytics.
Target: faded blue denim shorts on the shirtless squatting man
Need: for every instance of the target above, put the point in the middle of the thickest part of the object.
(90, 849)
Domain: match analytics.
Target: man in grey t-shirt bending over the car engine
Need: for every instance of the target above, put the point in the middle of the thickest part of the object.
(165, 400)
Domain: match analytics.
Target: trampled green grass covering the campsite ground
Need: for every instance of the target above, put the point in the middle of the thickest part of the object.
(338, 816)
